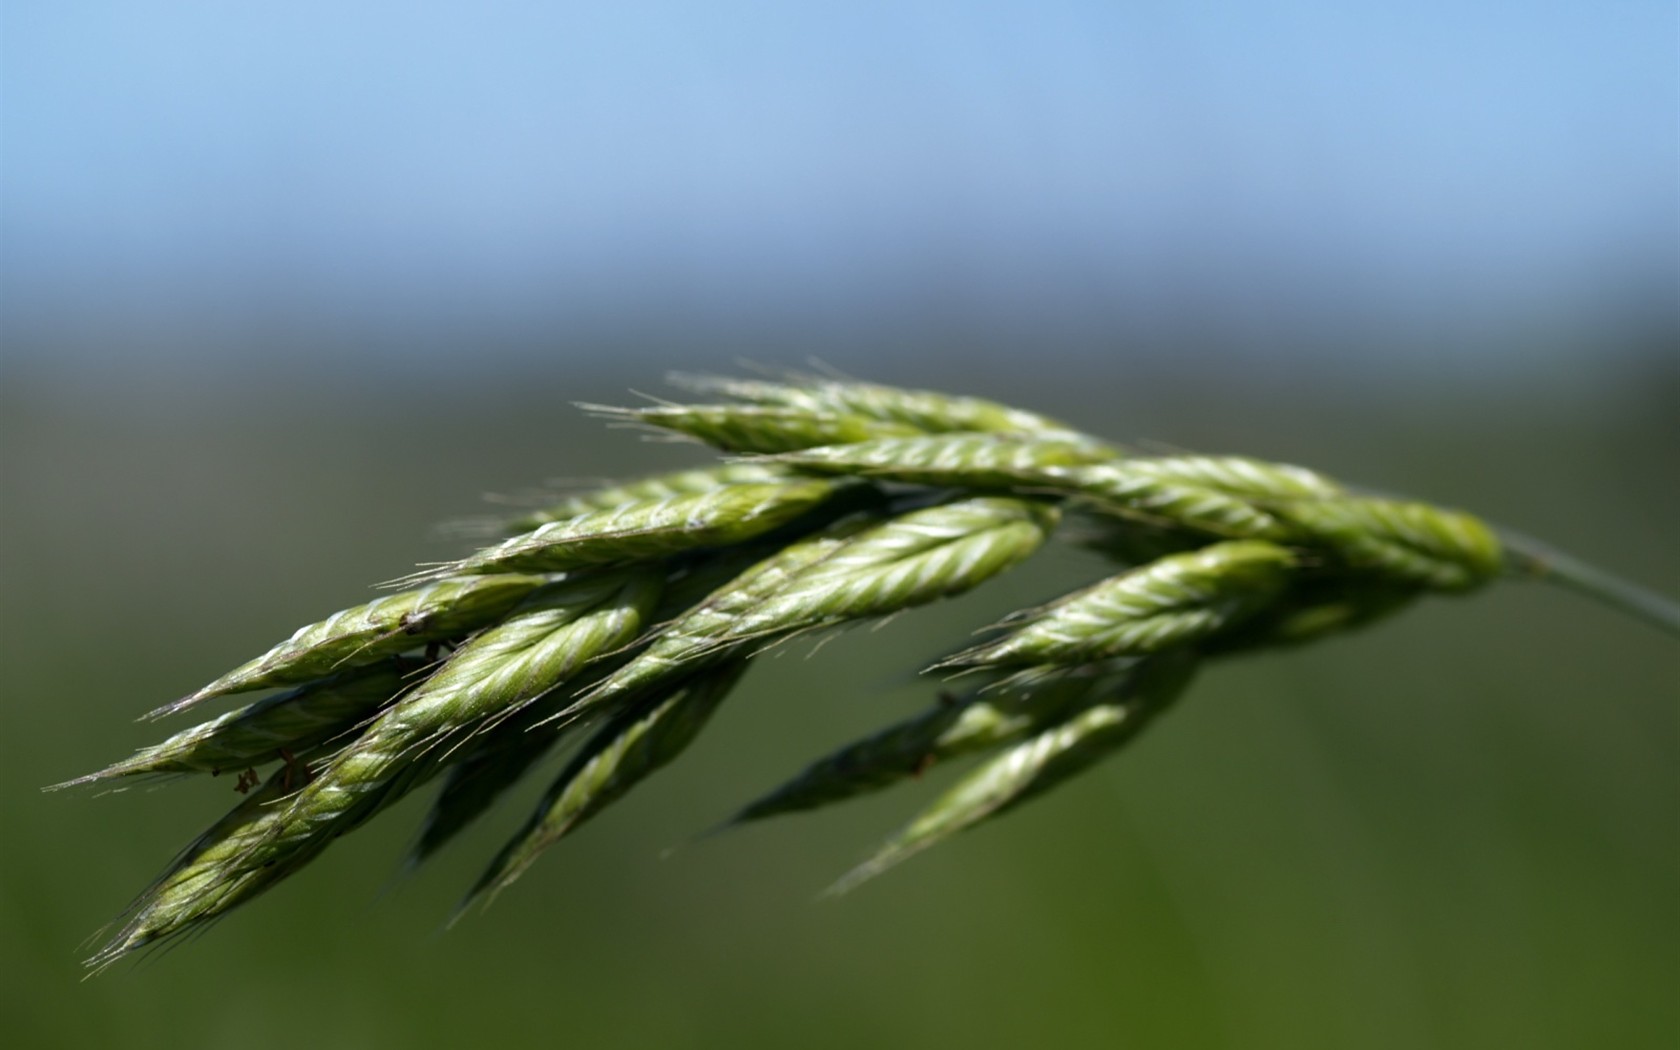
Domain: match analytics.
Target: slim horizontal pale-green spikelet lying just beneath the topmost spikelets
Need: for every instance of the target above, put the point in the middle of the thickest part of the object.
(960, 461)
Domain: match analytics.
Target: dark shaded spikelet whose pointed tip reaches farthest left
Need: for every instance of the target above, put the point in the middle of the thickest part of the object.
(273, 728)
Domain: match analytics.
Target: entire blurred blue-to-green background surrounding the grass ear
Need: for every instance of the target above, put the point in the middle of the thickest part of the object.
(285, 286)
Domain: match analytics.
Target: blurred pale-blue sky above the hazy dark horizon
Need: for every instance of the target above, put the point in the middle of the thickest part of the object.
(1424, 169)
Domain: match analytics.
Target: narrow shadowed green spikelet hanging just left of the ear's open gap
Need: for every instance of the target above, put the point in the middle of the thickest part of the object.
(629, 748)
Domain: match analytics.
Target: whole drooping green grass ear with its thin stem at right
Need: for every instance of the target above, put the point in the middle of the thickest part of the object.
(636, 607)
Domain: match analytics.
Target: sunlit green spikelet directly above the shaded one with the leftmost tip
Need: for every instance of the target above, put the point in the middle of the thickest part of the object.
(372, 633)
